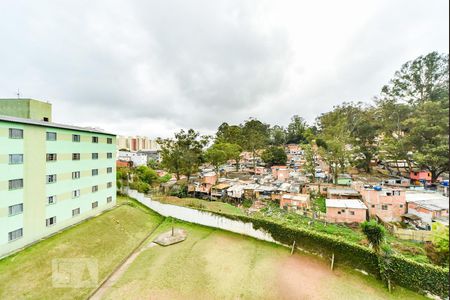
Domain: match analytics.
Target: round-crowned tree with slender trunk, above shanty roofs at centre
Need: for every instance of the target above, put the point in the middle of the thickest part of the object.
(256, 136)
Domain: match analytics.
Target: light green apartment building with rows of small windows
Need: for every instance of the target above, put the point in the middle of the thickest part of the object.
(51, 176)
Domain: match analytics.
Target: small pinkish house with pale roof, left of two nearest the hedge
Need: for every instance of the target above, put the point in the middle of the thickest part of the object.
(346, 211)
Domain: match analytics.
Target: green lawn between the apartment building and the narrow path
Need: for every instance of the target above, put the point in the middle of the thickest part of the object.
(108, 238)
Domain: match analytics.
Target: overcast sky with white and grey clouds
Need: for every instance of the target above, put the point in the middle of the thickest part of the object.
(154, 67)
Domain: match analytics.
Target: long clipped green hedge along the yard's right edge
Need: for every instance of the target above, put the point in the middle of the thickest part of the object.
(400, 270)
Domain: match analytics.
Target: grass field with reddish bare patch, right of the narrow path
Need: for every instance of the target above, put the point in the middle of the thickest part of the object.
(214, 264)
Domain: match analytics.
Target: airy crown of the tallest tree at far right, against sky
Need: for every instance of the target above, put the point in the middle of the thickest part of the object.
(422, 79)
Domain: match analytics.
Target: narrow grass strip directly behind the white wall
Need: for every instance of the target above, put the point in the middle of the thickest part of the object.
(215, 206)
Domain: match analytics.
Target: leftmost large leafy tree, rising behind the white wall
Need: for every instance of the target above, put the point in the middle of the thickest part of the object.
(183, 154)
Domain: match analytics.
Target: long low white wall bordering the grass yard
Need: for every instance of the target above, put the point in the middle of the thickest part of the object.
(201, 217)
